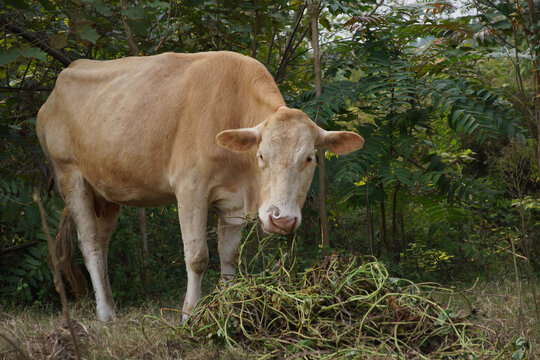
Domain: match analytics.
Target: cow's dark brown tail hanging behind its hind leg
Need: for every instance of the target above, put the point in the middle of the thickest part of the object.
(66, 255)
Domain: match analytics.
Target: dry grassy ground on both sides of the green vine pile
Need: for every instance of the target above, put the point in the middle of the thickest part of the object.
(136, 334)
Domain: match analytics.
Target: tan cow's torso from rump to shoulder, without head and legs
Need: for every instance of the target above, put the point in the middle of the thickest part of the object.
(129, 124)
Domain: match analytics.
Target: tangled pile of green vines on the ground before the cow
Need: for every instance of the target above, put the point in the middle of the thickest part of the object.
(341, 307)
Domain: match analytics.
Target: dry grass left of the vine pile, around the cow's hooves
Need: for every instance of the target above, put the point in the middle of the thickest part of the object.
(132, 335)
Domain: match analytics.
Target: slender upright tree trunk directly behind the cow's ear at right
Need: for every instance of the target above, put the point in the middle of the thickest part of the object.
(313, 6)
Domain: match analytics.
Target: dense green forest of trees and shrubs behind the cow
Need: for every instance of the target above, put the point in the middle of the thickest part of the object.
(446, 95)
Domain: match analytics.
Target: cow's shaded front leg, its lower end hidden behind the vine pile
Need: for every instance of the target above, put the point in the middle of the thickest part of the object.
(229, 237)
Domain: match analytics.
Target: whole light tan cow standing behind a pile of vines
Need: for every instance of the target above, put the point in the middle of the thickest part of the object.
(200, 130)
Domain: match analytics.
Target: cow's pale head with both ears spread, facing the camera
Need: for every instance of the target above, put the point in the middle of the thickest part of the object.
(285, 145)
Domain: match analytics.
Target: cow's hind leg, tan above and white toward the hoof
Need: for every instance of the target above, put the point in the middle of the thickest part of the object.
(93, 233)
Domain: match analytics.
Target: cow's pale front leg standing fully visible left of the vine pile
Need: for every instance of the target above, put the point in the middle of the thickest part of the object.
(193, 215)
